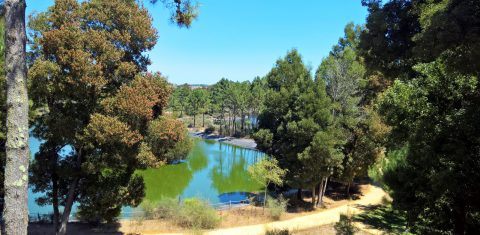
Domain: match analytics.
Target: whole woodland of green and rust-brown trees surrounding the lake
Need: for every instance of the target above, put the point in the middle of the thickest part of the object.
(396, 101)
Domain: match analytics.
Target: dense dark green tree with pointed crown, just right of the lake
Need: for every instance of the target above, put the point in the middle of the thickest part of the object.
(296, 108)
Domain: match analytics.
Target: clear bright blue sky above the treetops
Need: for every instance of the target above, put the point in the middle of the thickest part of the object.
(241, 39)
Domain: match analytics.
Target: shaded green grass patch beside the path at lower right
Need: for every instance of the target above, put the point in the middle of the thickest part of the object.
(385, 218)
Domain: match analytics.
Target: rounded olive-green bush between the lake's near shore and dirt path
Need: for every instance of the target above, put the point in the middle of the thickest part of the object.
(197, 214)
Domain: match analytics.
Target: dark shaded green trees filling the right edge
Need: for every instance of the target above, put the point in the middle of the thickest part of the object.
(432, 48)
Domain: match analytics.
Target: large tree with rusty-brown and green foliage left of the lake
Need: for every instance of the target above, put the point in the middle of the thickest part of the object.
(100, 109)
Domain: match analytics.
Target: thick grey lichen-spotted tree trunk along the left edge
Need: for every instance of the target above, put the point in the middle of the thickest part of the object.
(17, 152)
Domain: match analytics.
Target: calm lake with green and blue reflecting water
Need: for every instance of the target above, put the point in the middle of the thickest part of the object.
(214, 171)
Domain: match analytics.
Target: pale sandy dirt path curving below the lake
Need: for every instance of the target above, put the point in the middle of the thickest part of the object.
(373, 196)
